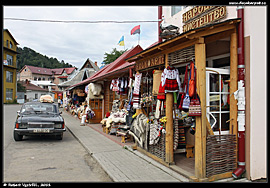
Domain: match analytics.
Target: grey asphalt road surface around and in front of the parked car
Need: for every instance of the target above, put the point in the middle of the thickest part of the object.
(45, 159)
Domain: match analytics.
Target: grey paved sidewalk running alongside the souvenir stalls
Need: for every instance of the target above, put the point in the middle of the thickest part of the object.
(121, 164)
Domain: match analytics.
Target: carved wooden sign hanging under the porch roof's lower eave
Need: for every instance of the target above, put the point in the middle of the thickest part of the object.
(155, 61)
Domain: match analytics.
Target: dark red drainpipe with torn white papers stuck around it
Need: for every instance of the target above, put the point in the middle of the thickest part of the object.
(240, 96)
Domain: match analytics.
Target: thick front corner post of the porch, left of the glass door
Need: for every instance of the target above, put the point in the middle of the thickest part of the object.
(200, 136)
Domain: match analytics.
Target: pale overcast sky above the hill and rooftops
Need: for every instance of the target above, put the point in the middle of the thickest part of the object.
(75, 42)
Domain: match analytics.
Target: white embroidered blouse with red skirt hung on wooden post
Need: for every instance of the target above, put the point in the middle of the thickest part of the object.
(170, 79)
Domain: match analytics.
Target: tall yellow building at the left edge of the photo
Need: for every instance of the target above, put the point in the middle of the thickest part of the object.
(9, 66)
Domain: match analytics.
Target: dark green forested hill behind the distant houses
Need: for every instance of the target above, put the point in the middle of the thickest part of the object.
(27, 56)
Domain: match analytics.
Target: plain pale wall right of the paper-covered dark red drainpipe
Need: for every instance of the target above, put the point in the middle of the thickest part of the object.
(255, 26)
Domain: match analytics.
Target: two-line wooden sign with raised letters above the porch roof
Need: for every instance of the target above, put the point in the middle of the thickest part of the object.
(202, 15)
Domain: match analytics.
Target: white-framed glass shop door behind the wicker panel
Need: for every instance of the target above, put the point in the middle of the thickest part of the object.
(217, 99)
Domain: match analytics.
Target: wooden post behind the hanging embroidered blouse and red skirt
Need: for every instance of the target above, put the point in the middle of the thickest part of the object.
(169, 125)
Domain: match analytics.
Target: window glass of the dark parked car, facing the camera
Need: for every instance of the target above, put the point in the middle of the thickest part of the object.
(39, 108)
